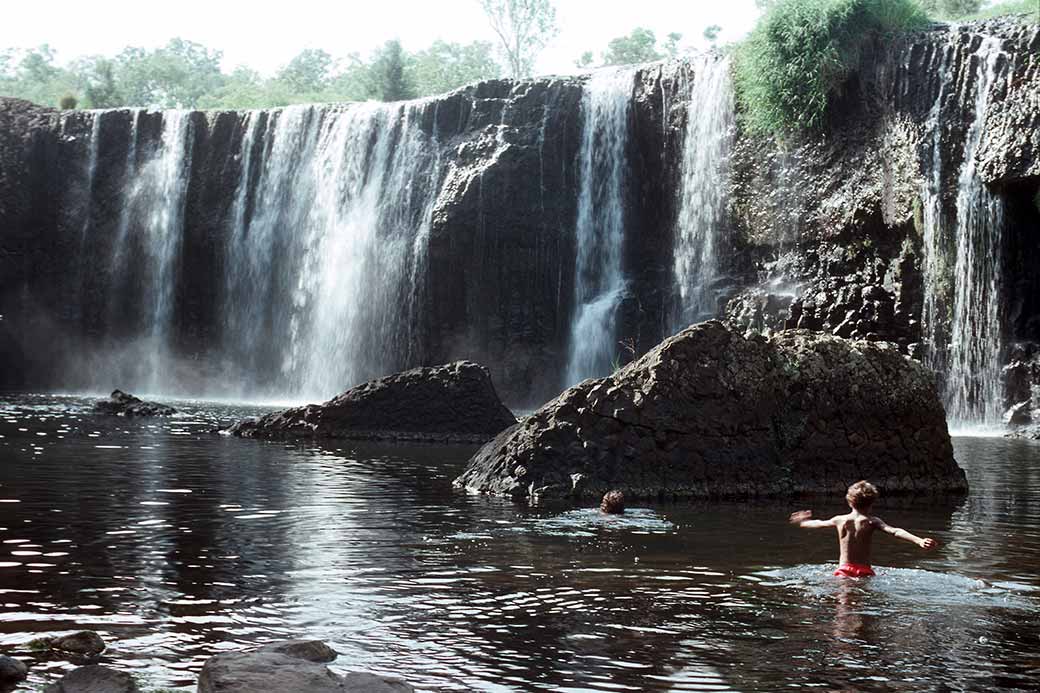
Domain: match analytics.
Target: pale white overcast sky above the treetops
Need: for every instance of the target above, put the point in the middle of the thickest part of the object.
(266, 36)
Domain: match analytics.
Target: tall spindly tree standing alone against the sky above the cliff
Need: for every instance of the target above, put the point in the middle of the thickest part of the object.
(524, 28)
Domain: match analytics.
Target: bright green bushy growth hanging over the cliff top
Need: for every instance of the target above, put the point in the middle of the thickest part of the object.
(801, 54)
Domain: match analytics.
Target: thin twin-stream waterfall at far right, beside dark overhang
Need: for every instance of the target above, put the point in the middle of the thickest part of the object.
(970, 356)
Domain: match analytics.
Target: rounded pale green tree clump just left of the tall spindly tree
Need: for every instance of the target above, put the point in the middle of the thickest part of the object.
(445, 67)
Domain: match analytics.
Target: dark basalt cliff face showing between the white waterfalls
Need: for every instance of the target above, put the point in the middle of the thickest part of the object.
(824, 233)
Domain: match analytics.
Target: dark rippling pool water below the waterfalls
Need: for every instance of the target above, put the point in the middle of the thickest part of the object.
(176, 544)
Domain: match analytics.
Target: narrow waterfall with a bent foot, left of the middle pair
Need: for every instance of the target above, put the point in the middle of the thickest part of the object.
(600, 281)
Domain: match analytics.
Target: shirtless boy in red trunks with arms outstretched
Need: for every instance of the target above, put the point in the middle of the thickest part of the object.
(856, 530)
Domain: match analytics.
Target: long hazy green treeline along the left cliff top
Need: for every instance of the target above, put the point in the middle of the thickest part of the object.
(185, 74)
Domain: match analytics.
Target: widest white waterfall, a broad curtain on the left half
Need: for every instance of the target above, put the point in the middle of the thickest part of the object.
(328, 245)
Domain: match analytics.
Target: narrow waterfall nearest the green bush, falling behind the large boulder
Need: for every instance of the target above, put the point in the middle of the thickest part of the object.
(703, 206)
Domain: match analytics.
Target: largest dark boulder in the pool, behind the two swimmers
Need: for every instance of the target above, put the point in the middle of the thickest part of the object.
(711, 414)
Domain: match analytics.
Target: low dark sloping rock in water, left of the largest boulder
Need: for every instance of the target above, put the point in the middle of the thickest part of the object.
(450, 403)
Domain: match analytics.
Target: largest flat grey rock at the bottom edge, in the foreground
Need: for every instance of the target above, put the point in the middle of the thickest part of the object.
(297, 666)
